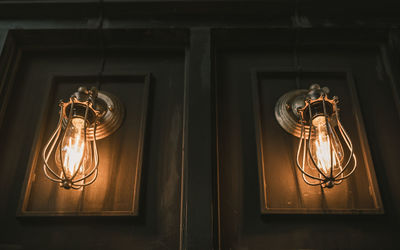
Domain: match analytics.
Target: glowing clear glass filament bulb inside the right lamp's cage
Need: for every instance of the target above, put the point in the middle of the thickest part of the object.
(321, 145)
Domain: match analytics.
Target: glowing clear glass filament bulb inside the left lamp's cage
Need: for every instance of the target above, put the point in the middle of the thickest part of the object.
(75, 153)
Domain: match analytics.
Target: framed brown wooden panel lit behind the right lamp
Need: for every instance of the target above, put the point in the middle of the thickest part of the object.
(282, 189)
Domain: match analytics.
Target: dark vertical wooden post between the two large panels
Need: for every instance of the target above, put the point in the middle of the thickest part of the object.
(198, 157)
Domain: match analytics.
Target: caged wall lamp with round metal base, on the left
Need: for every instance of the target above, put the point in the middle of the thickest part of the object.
(70, 156)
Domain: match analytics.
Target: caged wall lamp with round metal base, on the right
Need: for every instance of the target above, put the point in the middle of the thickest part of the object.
(314, 118)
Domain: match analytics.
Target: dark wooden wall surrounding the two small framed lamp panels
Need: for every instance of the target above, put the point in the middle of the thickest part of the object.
(200, 186)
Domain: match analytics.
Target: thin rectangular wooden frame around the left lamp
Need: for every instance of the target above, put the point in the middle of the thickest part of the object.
(39, 140)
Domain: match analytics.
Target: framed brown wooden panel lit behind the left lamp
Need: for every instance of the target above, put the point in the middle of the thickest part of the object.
(116, 190)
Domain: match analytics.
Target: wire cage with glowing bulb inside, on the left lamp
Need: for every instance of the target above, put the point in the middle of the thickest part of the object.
(70, 148)
